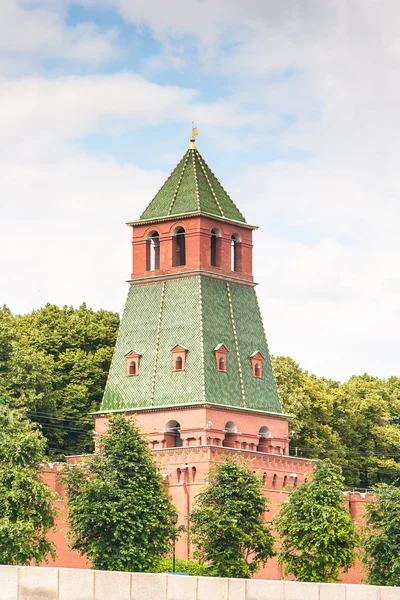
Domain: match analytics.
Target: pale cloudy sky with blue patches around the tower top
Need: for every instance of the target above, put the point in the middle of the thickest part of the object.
(297, 107)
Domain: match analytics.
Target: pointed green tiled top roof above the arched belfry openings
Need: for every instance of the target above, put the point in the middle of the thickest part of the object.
(192, 188)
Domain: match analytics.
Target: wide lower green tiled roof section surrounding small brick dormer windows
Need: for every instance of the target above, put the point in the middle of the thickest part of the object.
(198, 313)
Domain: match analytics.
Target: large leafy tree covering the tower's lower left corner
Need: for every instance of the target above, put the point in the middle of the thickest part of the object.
(120, 515)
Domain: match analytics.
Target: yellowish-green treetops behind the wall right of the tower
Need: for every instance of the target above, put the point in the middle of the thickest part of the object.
(355, 424)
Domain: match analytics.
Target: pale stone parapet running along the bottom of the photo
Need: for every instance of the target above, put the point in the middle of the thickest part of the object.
(43, 583)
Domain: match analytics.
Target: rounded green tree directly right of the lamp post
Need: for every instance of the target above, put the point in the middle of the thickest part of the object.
(229, 532)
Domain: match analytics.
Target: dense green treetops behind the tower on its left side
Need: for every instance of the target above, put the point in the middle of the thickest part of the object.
(54, 363)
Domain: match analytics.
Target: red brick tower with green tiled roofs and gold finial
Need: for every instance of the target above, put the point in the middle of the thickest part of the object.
(191, 360)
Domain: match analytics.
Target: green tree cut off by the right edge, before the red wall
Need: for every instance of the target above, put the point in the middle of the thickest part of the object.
(381, 536)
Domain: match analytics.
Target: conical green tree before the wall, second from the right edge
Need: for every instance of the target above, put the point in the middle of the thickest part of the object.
(317, 534)
